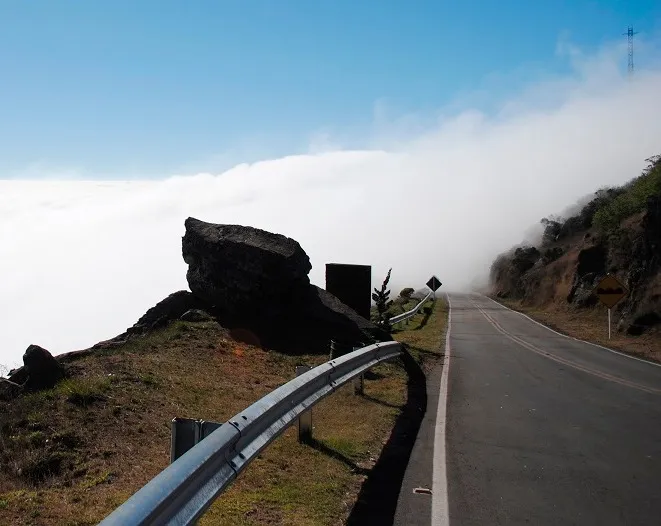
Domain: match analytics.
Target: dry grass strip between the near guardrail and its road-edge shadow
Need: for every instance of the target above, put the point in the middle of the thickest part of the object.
(317, 484)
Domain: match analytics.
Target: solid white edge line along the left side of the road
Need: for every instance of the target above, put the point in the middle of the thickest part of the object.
(440, 512)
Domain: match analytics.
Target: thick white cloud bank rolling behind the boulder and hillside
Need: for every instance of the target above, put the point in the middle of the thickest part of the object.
(81, 261)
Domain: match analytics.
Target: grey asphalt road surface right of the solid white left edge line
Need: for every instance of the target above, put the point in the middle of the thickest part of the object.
(546, 430)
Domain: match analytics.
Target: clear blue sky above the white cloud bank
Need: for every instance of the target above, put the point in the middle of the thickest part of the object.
(128, 89)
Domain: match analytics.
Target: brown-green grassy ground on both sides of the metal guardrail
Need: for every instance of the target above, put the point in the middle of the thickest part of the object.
(72, 454)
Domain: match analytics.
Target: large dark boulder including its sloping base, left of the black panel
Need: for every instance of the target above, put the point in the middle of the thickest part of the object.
(257, 285)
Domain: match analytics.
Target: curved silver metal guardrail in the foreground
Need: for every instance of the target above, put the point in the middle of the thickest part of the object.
(183, 491)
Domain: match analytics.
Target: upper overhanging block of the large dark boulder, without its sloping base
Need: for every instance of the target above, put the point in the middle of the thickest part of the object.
(237, 268)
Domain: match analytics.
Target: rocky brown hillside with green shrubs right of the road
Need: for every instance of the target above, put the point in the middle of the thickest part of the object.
(615, 231)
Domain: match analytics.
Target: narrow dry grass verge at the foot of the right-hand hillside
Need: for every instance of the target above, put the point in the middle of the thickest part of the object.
(590, 325)
